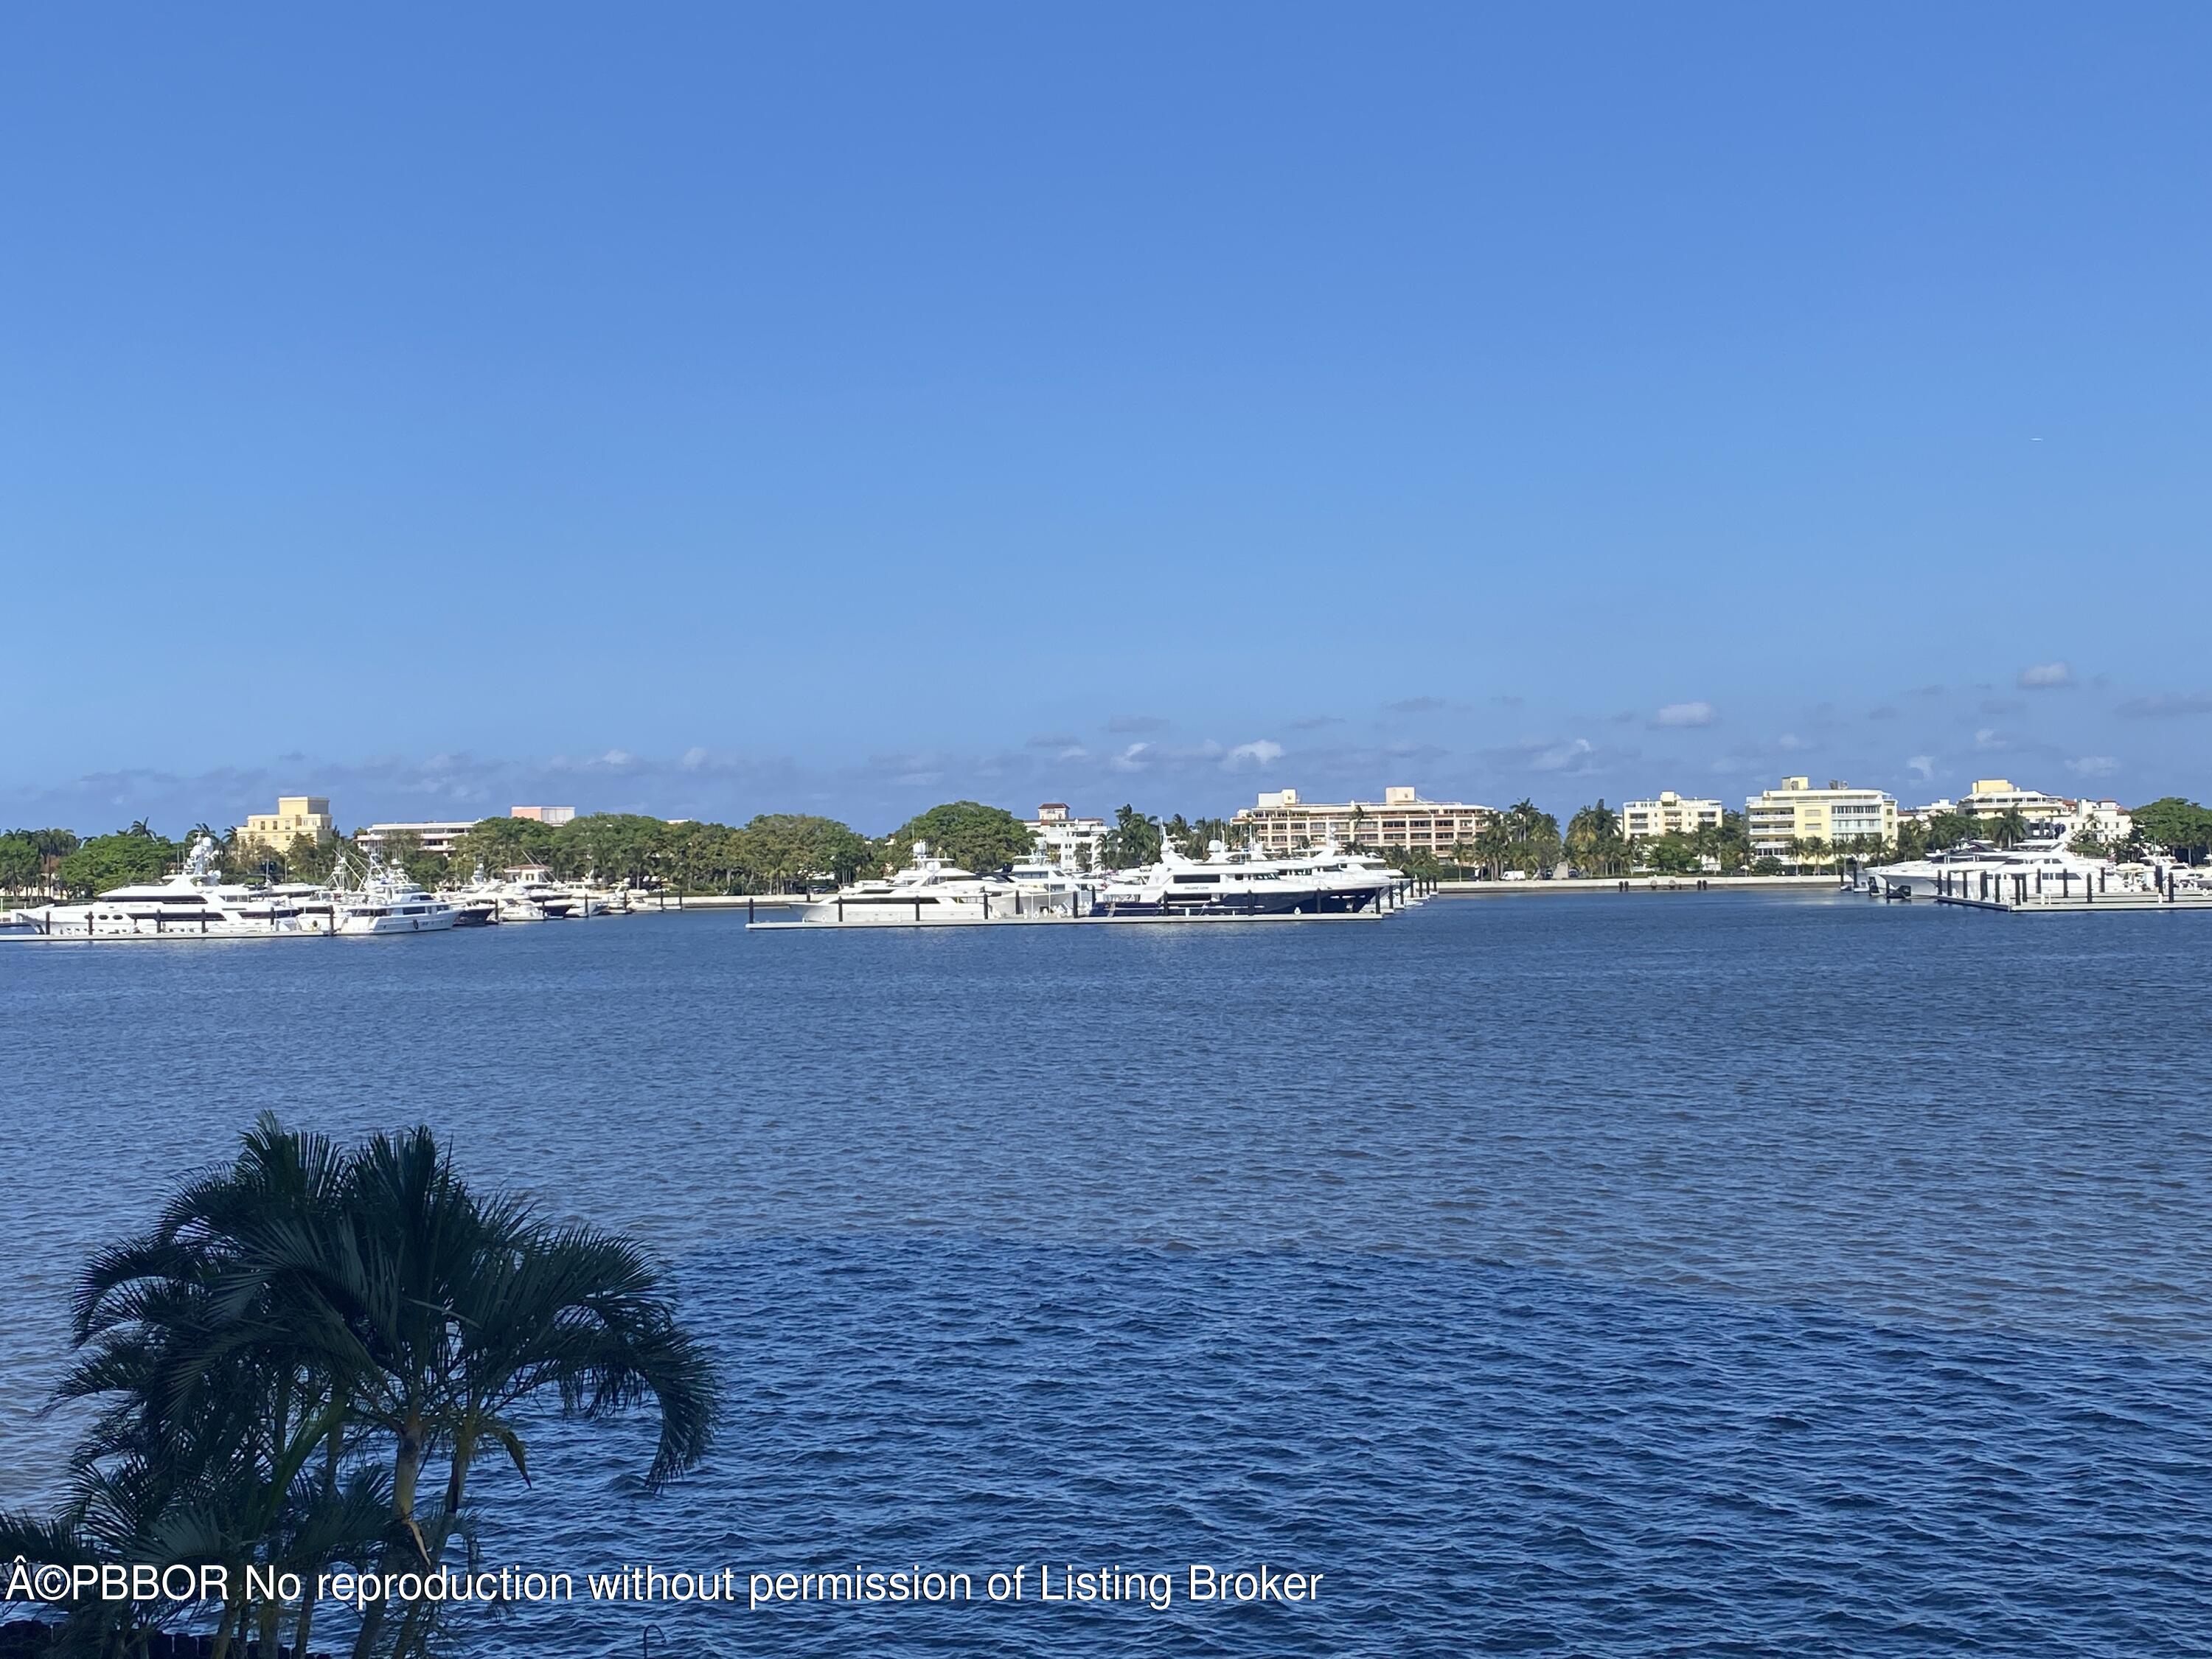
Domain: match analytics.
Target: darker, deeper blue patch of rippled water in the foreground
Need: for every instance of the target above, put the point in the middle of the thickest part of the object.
(1479, 1459)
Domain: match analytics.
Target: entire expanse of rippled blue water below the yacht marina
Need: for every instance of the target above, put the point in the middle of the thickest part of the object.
(1673, 1275)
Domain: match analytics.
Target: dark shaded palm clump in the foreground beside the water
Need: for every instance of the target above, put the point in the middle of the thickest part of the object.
(306, 1357)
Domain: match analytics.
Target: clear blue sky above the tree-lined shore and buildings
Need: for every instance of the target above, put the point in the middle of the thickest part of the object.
(846, 408)
